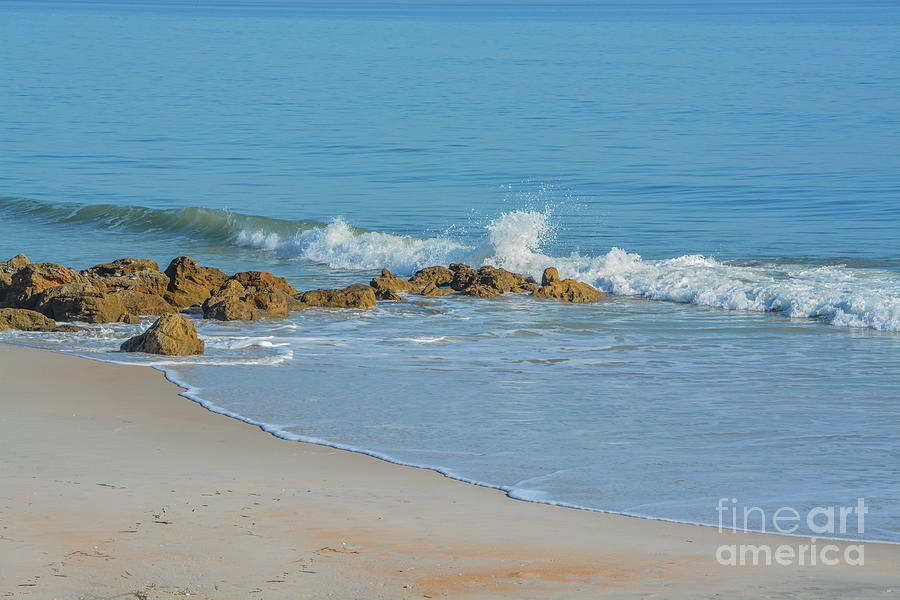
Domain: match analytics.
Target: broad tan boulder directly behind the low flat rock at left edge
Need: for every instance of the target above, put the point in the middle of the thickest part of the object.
(80, 302)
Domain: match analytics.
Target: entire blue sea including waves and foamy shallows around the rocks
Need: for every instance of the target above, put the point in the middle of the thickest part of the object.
(730, 172)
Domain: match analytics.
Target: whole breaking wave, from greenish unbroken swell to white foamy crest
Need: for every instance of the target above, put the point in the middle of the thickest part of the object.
(837, 294)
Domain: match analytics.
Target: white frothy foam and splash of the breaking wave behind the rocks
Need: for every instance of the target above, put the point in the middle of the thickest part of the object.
(841, 296)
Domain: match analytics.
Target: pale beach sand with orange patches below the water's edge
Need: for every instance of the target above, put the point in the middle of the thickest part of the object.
(113, 486)
